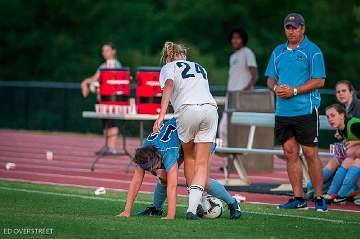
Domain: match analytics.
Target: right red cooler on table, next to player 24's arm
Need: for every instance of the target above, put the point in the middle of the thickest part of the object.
(148, 91)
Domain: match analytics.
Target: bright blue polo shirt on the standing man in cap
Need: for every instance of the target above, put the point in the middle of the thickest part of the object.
(294, 67)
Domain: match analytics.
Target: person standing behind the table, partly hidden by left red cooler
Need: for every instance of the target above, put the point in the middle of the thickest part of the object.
(111, 131)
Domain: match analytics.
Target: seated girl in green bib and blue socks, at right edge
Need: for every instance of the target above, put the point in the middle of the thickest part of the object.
(348, 173)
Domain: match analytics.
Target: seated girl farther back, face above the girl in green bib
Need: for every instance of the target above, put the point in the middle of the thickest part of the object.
(346, 96)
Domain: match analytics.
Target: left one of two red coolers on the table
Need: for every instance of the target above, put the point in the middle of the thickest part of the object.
(114, 86)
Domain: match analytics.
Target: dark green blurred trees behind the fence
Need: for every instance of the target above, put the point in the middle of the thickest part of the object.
(60, 40)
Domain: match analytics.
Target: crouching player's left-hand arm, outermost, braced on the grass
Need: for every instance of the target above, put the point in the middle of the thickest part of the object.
(134, 188)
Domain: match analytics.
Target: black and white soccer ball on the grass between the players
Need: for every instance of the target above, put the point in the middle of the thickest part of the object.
(212, 207)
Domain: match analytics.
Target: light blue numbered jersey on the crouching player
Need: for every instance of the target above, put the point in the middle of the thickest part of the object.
(167, 142)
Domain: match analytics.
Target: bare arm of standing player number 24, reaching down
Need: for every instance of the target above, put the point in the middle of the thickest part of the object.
(165, 99)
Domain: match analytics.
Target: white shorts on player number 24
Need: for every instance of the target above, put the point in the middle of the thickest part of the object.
(197, 122)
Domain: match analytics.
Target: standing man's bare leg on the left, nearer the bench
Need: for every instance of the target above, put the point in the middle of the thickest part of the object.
(295, 174)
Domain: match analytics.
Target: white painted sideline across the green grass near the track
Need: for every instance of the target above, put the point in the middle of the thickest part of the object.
(179, 205)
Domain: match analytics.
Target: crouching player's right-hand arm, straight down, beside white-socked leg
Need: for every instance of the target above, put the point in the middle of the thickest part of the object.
(172, 176)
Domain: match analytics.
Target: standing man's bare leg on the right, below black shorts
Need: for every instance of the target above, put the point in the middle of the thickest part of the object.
(315, 168)
